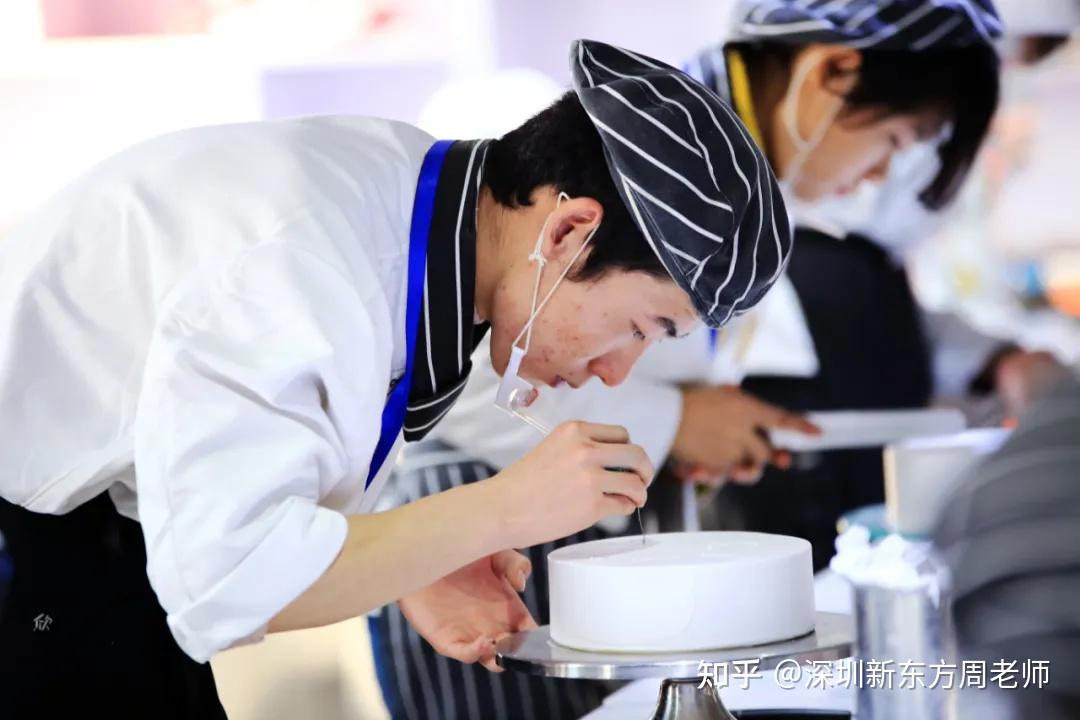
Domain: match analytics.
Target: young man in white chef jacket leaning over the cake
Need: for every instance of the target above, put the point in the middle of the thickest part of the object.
(223, 334)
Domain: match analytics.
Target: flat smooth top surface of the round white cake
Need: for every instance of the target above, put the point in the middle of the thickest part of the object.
(682, 549)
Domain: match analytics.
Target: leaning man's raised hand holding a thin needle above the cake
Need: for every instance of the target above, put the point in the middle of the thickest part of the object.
(566, 484)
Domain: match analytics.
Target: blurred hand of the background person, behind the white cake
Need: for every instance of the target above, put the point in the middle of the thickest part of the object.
(724, 434)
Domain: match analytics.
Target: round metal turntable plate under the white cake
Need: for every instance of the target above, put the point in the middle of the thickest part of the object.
(536, 654)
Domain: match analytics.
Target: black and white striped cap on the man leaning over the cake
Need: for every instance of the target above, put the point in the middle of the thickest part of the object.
(697, 186)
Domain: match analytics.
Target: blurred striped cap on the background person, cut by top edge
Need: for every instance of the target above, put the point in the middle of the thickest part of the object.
(865, 24)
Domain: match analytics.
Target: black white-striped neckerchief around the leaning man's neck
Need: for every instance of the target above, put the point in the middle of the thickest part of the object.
(448, 335)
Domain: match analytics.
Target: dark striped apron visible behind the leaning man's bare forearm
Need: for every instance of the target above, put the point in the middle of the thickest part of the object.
(417, 683)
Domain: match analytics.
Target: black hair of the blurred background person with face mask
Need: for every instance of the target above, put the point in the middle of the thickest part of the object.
(962, 84)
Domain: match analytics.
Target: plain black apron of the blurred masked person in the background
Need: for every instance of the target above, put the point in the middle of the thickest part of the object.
(872, 354)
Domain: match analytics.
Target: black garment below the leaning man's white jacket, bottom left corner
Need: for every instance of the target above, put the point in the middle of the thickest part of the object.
(80, 616)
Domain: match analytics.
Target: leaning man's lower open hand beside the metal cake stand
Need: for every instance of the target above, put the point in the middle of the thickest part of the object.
(464, 615)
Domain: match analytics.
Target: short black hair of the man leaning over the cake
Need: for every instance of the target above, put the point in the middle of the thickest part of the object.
(562, 148)
